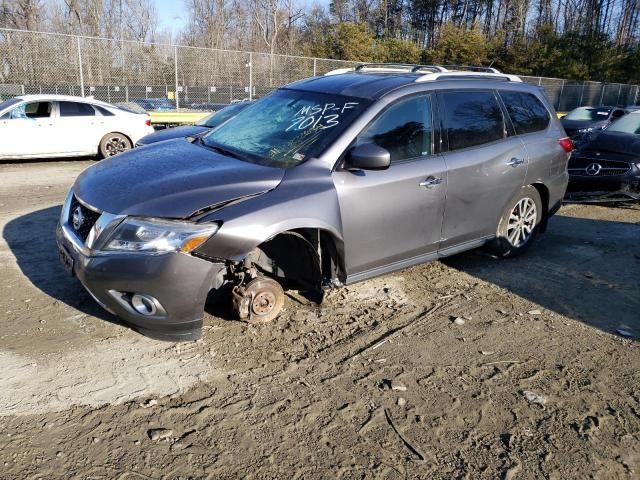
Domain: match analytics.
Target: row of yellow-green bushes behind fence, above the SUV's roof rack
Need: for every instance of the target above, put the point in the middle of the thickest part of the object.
(540, 51)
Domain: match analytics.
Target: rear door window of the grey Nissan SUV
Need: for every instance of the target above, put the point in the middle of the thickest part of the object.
(472, 118)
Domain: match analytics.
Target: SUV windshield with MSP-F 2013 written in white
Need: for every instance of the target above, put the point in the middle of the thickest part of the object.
(287, 127)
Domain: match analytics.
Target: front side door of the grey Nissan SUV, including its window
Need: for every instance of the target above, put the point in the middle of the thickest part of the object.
(392, 218)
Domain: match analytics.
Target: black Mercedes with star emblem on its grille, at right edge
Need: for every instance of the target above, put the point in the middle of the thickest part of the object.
(609, 162)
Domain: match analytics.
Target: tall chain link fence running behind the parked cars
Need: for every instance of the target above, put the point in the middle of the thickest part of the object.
(179, 77)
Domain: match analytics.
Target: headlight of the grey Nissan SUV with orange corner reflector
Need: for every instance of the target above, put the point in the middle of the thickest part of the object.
(155, 236)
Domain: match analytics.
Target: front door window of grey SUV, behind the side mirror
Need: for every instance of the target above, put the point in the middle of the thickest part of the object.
(404, 129)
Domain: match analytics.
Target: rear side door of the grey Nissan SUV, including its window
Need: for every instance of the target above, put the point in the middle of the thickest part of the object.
(486, 164)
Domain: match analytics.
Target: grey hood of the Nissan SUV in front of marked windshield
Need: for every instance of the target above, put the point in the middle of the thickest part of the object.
(173, 179)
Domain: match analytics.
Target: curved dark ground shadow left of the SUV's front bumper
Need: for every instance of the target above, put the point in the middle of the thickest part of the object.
(32, 240)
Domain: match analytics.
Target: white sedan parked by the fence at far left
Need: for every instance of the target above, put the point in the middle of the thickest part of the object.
(41, 126)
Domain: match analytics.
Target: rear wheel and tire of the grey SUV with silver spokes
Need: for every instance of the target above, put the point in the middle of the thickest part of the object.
(518, 225)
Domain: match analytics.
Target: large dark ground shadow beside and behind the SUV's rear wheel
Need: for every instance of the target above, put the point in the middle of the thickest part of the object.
(587, 270)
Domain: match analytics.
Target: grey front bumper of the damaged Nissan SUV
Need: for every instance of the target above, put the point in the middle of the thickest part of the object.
(179, 282)
